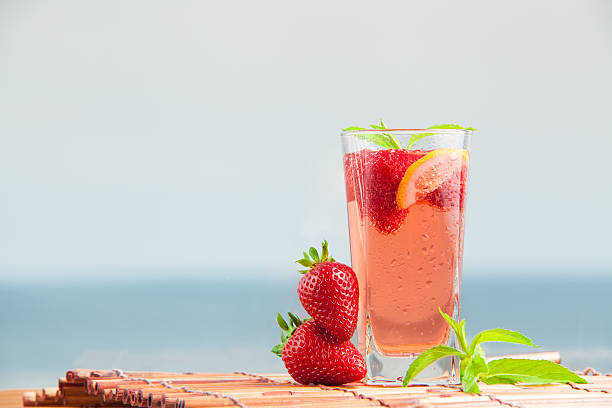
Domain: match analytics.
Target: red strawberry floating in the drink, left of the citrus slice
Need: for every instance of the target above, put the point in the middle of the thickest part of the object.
(378, 173)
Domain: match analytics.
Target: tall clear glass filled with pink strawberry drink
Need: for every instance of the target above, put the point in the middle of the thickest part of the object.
(406, 191)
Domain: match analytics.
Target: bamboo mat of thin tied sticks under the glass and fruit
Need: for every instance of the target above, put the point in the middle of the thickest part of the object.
(115, 388)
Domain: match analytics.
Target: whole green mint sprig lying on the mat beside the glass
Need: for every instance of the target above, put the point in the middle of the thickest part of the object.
(474, 368)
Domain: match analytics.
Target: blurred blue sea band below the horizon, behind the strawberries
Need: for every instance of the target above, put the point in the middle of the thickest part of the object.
(223, 324)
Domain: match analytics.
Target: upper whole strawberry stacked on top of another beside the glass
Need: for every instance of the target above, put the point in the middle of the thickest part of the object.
(330, 293)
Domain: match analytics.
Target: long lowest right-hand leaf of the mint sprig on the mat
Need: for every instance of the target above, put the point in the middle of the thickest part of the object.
(542, 369)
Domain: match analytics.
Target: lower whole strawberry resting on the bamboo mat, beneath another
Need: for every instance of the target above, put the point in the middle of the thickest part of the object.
(313, 356)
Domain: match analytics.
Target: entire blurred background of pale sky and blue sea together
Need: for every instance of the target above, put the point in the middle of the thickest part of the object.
(162, 164)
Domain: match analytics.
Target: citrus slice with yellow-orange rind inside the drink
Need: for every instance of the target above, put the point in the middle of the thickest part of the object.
(428, 173)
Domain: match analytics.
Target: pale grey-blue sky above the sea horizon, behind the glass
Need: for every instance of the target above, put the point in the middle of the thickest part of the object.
(139, 138)
